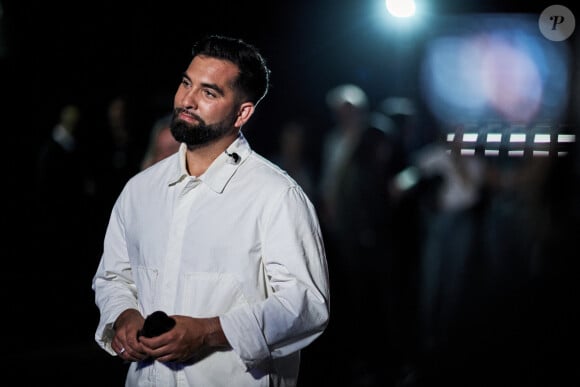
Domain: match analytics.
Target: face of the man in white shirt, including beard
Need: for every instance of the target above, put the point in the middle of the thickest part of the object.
(206, 107)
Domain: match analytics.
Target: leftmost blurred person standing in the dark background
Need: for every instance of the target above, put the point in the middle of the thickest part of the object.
(63, 224)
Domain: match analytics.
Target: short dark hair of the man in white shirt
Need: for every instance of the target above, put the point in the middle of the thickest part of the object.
(254, 77)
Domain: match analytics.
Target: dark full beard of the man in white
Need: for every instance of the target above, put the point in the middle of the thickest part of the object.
(197, 135)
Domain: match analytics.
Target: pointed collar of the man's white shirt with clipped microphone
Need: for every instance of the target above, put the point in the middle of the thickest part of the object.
(221, 169)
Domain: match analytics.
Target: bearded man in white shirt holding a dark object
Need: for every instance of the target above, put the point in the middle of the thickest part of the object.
(217, 240)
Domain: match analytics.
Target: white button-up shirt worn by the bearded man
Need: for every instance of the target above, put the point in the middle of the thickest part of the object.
(242, 242)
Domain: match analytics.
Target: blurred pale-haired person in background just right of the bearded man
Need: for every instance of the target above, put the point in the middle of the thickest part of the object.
(355, 213)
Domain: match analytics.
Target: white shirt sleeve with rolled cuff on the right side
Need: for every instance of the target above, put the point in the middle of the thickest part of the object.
(297, 309)
